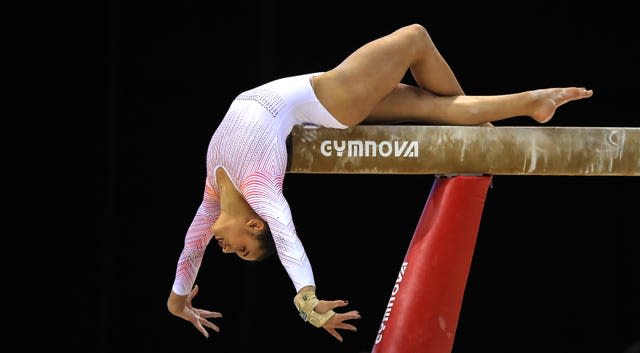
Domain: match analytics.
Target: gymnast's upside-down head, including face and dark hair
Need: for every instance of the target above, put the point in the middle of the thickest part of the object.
(250, 239)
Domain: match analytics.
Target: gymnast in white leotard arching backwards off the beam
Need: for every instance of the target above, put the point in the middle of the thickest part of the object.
(243, 208)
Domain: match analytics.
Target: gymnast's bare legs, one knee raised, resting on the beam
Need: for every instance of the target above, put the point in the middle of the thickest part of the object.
(366, 87)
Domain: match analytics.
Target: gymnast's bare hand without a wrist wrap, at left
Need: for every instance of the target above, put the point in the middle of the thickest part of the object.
(181, 306)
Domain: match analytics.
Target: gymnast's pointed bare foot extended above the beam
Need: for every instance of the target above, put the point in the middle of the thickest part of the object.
(546, 101)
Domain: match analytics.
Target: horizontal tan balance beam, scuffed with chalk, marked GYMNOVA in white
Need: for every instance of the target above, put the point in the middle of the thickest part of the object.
(466, 150)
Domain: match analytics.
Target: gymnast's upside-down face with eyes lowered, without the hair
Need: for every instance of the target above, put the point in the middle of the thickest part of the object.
(239, 239)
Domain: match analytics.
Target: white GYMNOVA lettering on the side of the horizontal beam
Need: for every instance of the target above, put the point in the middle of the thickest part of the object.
(369, 148)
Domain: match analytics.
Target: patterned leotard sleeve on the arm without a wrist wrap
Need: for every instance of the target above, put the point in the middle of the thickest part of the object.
(198, 236)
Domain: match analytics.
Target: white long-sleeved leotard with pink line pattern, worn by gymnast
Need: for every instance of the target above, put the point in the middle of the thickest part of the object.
(250, 144)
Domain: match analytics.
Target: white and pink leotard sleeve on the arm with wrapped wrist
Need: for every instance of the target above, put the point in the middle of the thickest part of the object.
(263, 191)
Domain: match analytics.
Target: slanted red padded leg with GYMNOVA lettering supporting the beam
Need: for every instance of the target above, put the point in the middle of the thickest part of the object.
(424, 307)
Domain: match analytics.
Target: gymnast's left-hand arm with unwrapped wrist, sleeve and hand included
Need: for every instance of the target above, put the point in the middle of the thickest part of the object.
(196, 240)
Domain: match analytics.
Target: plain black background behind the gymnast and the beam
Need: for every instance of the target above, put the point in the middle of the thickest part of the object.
(114, 104)
